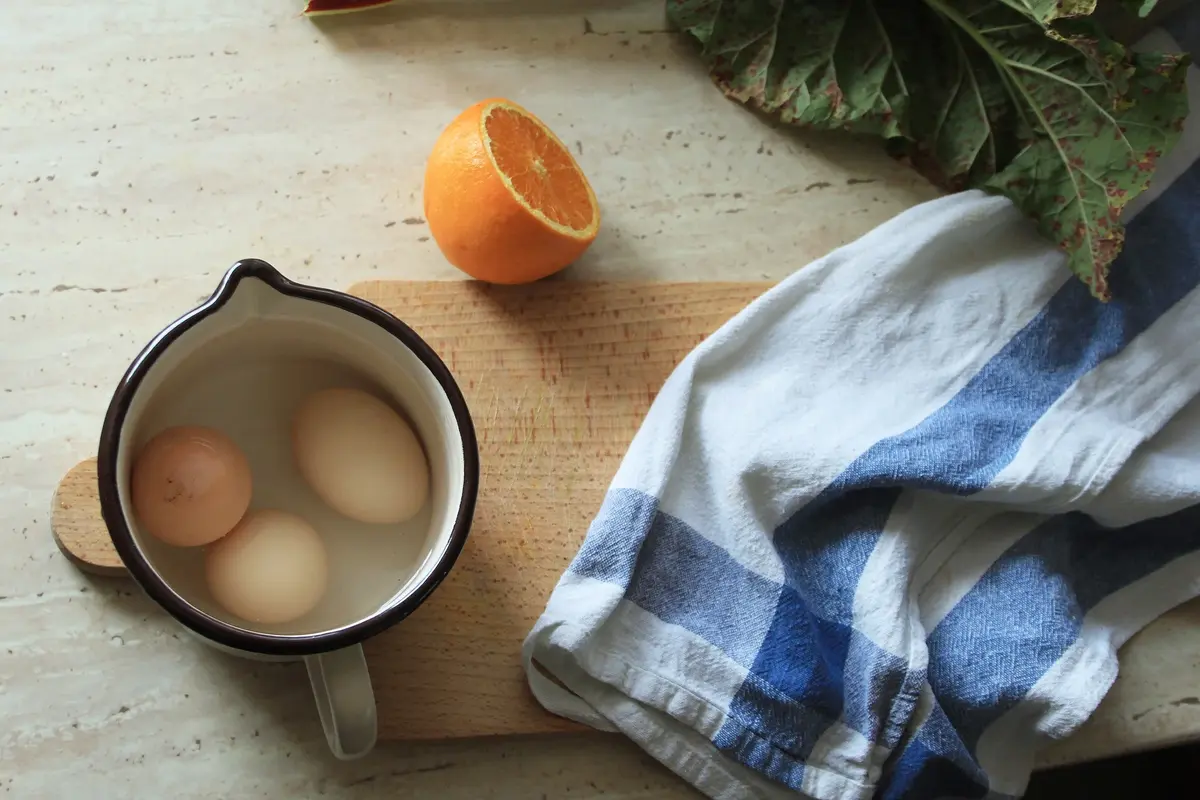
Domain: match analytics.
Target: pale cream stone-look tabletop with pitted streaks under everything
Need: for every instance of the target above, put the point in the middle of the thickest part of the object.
(147, 146)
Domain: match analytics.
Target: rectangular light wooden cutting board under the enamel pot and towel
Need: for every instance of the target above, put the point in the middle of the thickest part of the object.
(559, 377)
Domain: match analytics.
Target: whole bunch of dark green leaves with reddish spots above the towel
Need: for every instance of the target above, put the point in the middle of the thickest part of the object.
(1028, 99)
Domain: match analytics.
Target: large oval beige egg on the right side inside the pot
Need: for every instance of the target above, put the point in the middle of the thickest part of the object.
(361, 456)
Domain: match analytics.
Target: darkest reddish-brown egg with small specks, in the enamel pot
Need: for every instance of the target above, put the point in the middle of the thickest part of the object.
(190, 486)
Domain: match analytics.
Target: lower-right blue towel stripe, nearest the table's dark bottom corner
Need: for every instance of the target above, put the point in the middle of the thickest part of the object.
(1013, 627)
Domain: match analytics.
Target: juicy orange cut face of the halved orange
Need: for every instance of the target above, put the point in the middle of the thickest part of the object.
(541, 171)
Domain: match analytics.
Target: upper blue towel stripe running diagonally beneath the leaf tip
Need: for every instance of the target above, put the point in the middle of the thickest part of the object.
(961, 448)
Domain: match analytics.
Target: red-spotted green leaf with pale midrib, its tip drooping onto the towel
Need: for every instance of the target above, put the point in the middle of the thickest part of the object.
(1096, 121)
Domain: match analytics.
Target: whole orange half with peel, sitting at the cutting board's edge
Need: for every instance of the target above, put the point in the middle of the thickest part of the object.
(505, 199)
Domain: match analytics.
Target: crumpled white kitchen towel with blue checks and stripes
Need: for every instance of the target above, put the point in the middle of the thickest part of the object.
(883, 534)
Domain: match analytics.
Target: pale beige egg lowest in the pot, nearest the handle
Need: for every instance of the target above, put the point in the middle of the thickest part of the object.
(271, 569)
